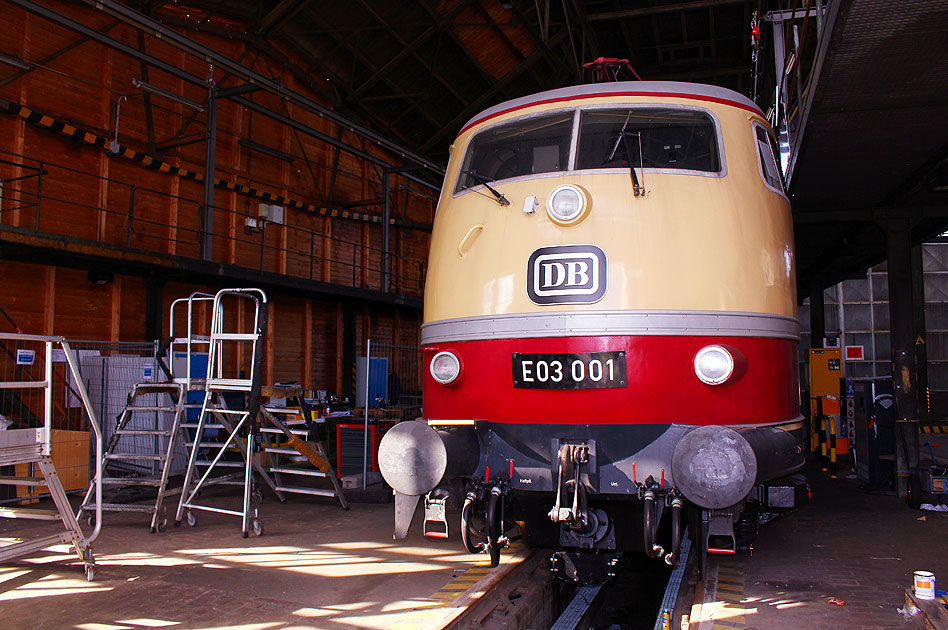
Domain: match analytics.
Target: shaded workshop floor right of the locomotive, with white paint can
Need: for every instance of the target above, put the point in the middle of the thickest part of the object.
(857, 545)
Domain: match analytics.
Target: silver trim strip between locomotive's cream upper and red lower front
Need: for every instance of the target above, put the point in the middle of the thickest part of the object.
(591, 323)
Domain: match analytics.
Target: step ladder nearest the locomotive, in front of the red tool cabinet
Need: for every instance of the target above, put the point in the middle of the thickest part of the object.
(303, 455)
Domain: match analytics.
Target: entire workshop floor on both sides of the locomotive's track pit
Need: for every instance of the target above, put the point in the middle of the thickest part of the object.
(317, 566)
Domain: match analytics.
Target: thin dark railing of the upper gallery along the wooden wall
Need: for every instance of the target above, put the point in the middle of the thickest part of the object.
(54, 199)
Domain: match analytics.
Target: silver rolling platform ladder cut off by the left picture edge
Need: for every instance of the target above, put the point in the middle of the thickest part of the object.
(30, 399)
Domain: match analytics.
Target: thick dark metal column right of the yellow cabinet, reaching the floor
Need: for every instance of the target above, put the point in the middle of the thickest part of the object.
(901, 317)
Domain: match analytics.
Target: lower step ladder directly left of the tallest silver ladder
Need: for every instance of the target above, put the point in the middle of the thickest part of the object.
(140, 451)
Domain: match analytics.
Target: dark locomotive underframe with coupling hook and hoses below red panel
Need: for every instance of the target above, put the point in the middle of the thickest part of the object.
(596, 491)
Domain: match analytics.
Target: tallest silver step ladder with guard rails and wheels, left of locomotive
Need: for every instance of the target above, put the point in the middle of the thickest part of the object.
(225, 439)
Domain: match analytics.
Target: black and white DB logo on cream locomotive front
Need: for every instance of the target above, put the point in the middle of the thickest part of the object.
(566, 274)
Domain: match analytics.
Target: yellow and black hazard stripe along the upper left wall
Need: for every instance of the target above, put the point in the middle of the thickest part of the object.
(43, 120)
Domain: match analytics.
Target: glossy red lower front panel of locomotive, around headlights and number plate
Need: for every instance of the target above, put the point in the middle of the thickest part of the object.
(661, 386)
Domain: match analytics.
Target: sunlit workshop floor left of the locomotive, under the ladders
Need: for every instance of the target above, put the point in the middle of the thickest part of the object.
(316, 566)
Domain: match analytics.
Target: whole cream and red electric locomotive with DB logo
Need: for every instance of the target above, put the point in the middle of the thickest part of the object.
(610, 337)
